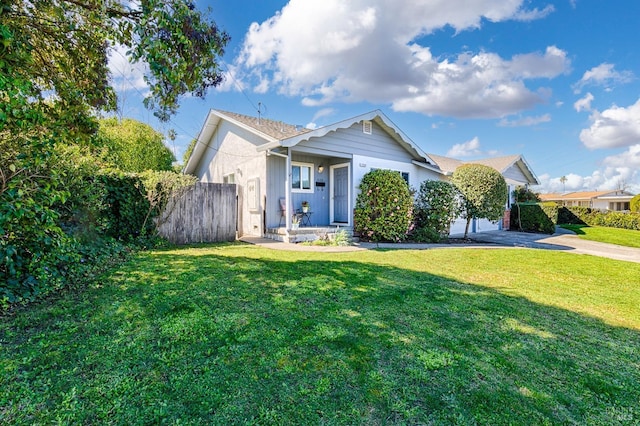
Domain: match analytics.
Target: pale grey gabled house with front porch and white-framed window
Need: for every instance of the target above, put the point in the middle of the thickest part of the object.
(276, 164)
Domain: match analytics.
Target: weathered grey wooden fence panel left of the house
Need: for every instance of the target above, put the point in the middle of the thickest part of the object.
(205, 213)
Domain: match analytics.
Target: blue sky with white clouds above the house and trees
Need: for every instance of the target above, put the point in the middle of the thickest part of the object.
(556, 81)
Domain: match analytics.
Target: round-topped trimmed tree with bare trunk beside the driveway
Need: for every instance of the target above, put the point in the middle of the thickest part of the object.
(484, 191)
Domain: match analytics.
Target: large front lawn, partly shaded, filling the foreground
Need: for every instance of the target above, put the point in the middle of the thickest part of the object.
(237, 334)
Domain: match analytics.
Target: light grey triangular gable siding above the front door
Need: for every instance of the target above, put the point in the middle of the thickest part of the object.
(354, 141)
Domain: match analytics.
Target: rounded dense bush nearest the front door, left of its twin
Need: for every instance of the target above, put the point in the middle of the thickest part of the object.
(383, 207)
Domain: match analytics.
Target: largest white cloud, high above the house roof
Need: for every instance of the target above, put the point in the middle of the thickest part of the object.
(369, 51)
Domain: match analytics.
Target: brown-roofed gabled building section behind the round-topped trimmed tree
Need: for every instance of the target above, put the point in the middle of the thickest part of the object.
(514, 169)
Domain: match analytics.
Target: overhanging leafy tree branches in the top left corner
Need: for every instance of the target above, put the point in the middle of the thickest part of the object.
(74, 38)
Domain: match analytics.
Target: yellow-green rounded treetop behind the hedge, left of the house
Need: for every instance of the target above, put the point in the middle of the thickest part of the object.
(133, 146)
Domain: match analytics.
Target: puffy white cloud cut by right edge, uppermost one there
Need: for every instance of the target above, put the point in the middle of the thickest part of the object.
(614, 127)
